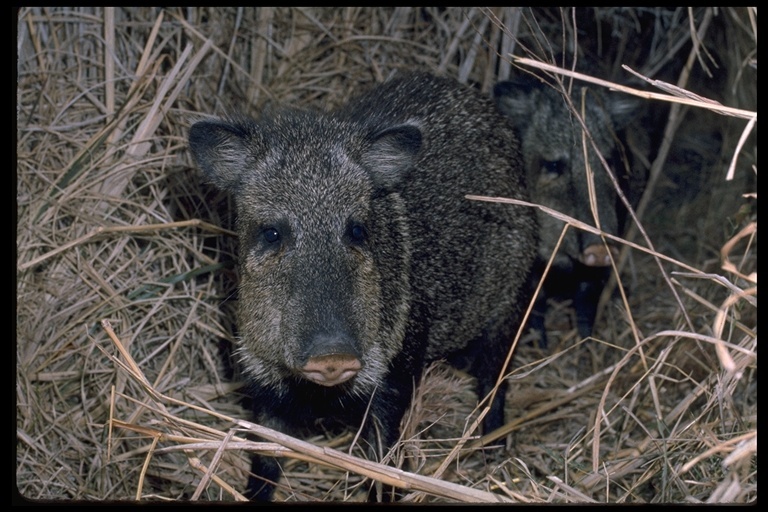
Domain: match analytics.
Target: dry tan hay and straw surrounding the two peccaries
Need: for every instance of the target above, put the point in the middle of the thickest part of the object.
(125, 275)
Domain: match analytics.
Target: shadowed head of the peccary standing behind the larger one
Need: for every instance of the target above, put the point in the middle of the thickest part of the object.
(554, 154)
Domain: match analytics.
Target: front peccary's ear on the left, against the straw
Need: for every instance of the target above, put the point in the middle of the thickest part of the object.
(220, 150)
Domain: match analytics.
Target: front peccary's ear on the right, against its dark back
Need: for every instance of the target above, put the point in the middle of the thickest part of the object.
(392, 152)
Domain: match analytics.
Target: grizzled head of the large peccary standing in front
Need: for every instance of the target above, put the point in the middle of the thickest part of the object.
(318, 220)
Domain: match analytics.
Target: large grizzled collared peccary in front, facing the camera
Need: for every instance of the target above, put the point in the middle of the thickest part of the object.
(360, 258)
